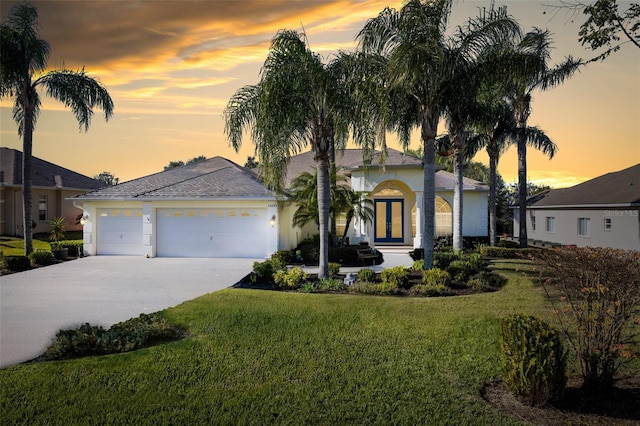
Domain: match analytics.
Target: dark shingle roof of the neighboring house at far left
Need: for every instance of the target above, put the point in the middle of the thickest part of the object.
(45, 174)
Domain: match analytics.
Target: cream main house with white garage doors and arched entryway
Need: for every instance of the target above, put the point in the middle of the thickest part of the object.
(216, 208)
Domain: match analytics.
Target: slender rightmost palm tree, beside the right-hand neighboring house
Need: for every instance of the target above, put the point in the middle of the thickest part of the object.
(529, 56)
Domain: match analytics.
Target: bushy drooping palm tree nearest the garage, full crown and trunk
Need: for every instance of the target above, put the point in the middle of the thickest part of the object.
(297, 103)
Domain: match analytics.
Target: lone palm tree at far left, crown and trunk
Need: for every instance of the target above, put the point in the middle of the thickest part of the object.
(22, 73)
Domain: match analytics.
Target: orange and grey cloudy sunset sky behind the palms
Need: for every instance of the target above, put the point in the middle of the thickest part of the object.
(171, 67)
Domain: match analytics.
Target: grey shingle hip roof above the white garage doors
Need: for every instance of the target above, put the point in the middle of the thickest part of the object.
(213, 178)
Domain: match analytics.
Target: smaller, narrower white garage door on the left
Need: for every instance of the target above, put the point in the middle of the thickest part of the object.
(119, 231)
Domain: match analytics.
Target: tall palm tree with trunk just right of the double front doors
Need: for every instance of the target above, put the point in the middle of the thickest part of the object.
(422, 64)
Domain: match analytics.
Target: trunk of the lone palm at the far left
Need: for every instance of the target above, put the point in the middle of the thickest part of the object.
(27, 145)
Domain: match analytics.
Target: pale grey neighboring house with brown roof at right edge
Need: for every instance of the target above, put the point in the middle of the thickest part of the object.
(601, 212)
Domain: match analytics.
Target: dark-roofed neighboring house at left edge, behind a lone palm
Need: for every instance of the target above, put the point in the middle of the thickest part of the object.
(52, 185)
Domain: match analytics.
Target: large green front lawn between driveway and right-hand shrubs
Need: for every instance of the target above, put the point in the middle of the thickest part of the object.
(262, 357)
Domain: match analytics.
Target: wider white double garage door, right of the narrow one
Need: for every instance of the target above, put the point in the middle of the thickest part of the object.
(230, 232)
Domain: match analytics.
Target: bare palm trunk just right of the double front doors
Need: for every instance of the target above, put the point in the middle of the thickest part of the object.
(429, 125)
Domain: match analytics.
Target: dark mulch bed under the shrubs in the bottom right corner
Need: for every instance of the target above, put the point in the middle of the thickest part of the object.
(620, 406)
